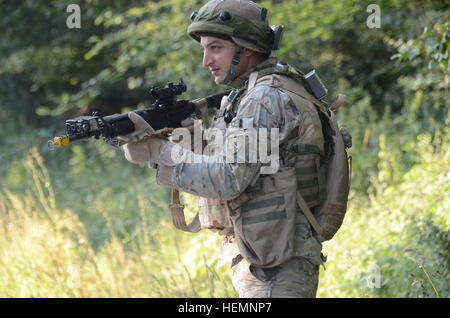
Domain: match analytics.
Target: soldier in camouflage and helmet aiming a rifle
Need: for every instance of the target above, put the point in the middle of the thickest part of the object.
(269, 242)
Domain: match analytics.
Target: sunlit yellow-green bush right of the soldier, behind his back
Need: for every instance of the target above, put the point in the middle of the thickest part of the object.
(396, 244)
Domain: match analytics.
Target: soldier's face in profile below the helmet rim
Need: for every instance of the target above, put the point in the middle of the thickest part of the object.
(217, 55)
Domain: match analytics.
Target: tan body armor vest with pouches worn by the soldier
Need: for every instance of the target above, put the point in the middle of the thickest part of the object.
(265, 217)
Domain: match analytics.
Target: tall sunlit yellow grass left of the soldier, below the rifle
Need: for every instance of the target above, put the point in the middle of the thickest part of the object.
(45, 252)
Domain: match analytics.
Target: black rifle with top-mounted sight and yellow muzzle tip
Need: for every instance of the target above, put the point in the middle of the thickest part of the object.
(165, 112)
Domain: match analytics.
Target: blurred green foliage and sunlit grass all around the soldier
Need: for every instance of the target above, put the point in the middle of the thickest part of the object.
(83, 222)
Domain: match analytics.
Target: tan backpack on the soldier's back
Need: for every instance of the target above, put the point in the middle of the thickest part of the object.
(326, 217)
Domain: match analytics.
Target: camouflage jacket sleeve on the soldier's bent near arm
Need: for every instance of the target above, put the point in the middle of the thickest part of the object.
(227, 174)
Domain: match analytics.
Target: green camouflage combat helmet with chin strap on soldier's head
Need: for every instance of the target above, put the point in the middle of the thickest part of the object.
(241, 21)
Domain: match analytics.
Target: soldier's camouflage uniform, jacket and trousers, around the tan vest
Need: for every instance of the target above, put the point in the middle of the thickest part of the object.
(219, 183)
